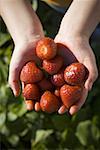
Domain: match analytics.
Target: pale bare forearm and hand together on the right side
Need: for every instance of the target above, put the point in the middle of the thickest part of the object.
(75, 34)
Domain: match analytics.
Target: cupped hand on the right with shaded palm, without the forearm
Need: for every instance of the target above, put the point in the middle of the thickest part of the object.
(79, 49)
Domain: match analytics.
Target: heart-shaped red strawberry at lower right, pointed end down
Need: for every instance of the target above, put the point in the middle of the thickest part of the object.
(70, 94)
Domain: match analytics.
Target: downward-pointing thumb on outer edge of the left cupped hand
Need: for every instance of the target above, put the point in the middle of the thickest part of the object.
(14, 71)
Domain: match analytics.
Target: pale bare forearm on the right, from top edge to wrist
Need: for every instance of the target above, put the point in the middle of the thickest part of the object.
(81, 19)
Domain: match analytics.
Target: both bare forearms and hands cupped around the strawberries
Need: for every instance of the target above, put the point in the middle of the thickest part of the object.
(75, 30)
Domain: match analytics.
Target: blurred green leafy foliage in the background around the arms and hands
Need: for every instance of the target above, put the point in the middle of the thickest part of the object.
(23, 130)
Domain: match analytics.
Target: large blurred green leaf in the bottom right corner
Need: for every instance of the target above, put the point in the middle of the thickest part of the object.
(87, 133)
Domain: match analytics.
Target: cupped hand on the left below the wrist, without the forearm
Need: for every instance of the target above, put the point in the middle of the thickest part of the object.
(21, 55)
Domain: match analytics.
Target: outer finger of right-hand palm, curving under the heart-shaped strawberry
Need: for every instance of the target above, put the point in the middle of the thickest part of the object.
(75, 108)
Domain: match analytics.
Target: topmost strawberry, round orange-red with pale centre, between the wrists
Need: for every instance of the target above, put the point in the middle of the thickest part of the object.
(46, 48)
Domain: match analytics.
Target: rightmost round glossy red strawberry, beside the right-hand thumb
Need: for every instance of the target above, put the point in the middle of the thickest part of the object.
(75, 74)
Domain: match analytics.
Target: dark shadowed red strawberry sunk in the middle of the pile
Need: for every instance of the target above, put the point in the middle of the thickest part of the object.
(45, 84)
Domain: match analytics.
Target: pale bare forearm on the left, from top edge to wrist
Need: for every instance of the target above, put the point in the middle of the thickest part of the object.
(21, 20)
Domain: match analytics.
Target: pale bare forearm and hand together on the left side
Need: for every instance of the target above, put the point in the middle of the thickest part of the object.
(25, 29)
